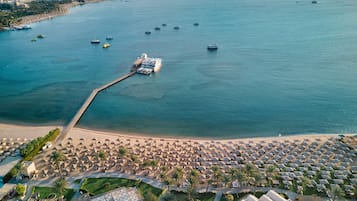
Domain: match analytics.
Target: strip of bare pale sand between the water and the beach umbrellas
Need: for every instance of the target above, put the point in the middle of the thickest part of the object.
(32, 131)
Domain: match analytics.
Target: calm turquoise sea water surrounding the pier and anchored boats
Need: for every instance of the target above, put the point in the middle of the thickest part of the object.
(282, 67)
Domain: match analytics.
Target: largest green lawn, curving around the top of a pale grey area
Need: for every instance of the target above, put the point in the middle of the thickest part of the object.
(96, 186)
